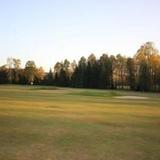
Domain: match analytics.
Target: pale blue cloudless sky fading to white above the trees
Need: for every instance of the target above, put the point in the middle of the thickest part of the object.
(48, 31)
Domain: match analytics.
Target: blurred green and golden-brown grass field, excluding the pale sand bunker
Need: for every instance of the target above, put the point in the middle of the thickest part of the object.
(48, 123)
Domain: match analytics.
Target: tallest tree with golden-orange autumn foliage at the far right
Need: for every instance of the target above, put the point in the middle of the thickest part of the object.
(147, 58)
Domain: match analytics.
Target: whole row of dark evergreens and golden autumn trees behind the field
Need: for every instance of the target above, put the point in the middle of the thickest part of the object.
(140, 72)
